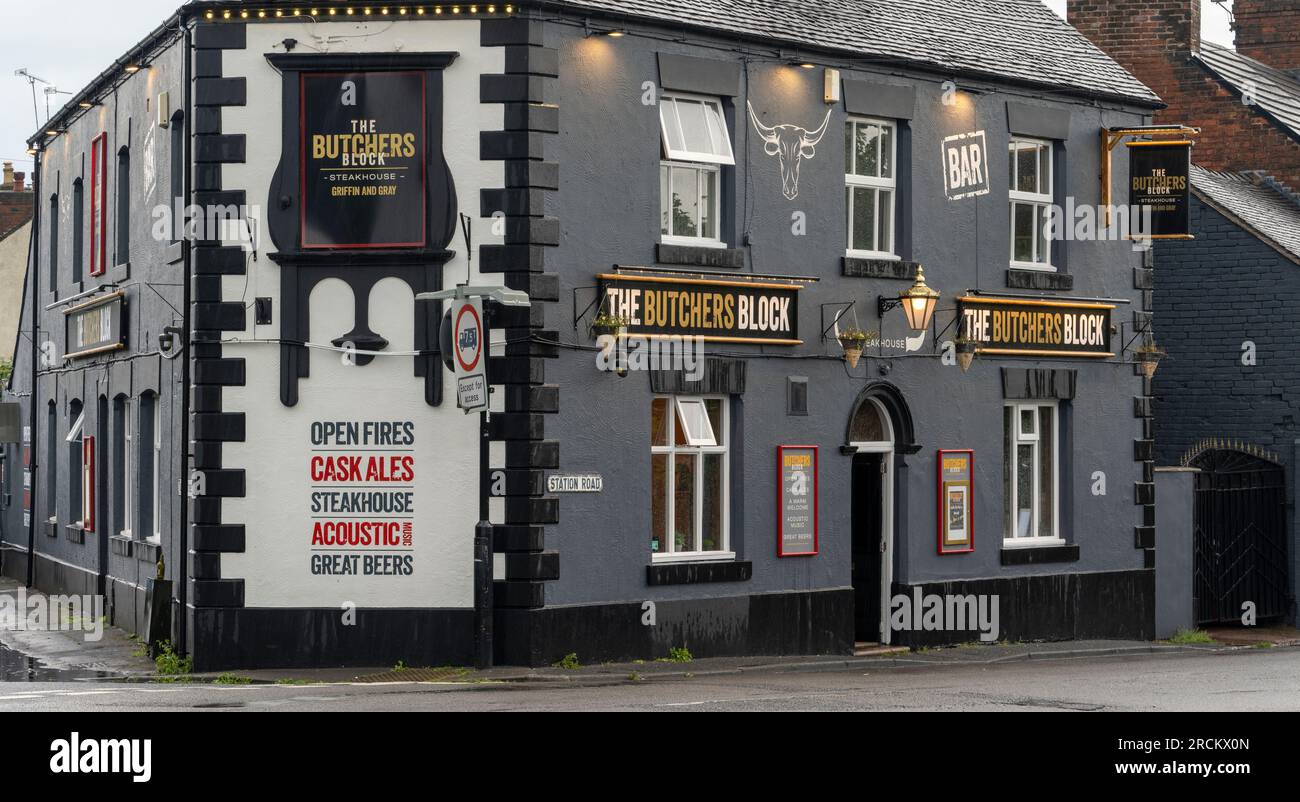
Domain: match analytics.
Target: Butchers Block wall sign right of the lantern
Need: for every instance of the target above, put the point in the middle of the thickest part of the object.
(1038, 328)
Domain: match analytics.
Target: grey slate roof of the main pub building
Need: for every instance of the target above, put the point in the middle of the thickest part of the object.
(1017, 40)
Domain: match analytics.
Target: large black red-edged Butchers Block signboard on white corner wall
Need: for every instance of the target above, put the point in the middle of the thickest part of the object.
(365, 161)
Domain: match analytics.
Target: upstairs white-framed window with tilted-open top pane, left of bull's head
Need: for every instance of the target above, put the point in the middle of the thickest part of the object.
(696, 145)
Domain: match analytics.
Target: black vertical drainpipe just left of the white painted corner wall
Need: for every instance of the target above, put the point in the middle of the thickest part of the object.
(183, 588)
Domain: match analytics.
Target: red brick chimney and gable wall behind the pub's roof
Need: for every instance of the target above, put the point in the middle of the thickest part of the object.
(1154, 40)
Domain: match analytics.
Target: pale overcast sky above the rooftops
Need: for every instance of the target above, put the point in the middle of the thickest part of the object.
(70, 42)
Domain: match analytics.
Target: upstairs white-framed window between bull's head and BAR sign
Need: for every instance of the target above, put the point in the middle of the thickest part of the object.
(872, 187)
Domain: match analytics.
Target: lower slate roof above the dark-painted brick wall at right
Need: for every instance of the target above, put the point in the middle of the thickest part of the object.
(1268, 211)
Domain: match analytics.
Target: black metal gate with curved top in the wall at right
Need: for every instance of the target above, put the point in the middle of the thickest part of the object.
(1241, 543)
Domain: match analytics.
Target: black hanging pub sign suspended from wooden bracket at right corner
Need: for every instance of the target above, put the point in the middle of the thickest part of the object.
(1160, 181)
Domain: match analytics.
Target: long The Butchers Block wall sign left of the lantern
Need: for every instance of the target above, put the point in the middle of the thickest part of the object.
(718, 311)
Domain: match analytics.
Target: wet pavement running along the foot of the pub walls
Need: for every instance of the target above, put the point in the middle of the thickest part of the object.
(68, 654)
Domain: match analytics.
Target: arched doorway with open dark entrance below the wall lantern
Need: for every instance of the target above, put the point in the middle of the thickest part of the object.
(879, 430)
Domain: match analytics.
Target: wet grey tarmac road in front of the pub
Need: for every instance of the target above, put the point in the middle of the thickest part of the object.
(1247, 680)
